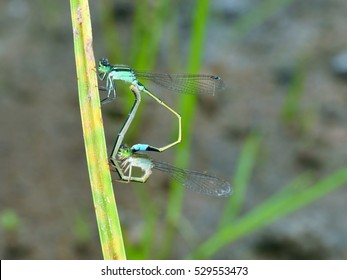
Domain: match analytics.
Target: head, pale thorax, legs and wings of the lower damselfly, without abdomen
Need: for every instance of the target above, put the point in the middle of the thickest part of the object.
(193, 180)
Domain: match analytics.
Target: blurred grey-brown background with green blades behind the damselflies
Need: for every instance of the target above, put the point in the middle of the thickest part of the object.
(277, 132)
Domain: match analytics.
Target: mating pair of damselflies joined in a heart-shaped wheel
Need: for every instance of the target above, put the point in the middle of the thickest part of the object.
(123, 159)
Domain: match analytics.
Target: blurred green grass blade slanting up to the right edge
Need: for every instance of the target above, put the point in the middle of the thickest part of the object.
(281, 204)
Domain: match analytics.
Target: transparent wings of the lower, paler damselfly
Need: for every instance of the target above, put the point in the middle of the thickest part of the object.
(195, 181)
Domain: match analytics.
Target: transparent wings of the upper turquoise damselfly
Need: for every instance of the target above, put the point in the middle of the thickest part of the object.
(184, 83)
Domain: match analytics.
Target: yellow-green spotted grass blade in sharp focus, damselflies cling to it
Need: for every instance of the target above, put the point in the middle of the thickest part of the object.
(93, 133)
